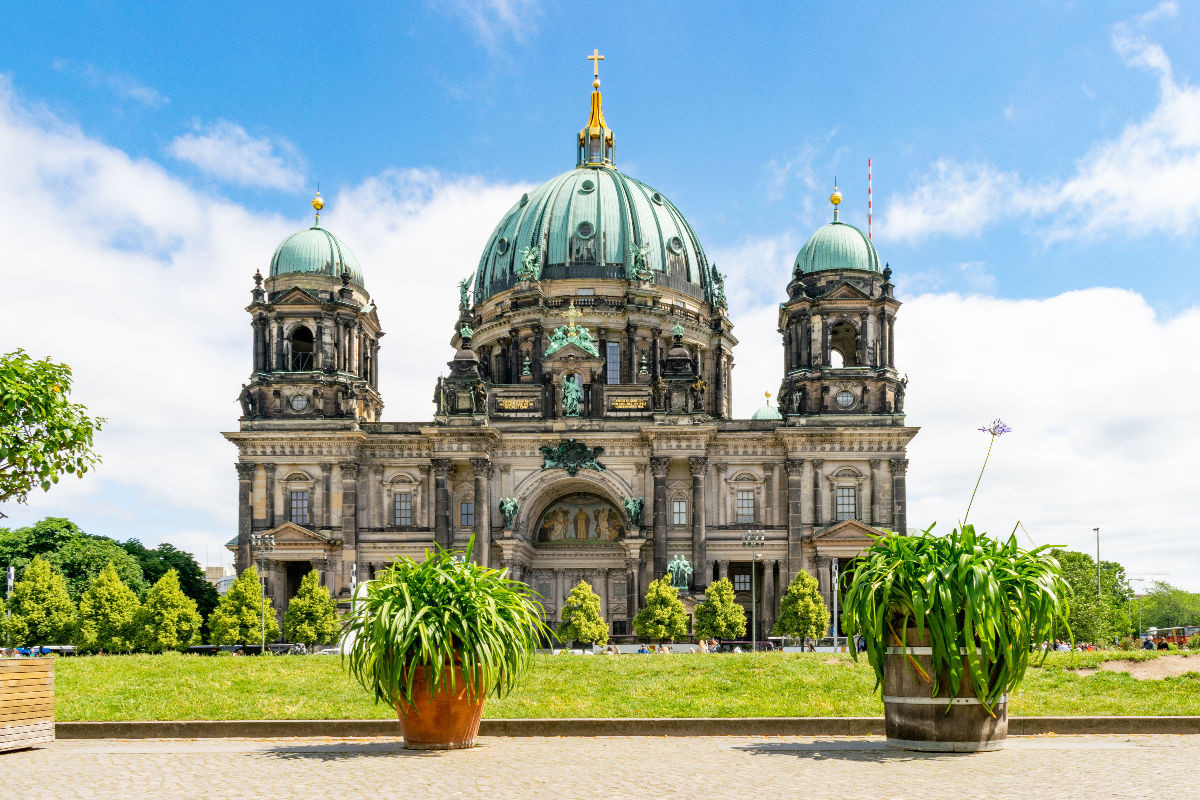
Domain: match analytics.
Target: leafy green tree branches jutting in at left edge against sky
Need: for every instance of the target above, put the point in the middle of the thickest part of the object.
(43, 435)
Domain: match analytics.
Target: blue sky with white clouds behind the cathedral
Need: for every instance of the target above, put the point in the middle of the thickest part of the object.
(1037, 189)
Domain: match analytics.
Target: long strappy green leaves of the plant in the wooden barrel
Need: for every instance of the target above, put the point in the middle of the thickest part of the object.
(989, 598)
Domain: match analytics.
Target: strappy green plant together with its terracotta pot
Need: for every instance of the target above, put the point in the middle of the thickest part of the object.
(435, 639)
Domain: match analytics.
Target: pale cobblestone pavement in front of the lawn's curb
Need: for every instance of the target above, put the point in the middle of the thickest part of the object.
(617, 767)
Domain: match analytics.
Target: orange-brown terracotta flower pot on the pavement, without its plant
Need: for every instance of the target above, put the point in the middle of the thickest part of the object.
(447, 721)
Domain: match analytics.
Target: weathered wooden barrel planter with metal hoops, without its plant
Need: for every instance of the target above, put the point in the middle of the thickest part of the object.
(944, 724)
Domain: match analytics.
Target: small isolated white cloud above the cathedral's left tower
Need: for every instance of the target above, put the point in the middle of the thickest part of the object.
(226, 152)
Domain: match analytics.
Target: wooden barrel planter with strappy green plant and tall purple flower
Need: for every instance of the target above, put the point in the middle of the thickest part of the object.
(949, 624)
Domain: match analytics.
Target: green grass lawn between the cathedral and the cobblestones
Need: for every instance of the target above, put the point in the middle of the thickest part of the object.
(201, 688)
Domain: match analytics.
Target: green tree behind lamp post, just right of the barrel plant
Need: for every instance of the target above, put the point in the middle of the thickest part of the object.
(1096, 619)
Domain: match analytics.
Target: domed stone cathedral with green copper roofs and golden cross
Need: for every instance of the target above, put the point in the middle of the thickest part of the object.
(585, 430)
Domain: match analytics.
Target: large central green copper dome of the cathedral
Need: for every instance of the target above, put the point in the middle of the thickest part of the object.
(592, 222)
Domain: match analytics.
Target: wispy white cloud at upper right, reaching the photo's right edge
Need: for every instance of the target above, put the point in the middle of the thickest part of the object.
(1144, 181)
